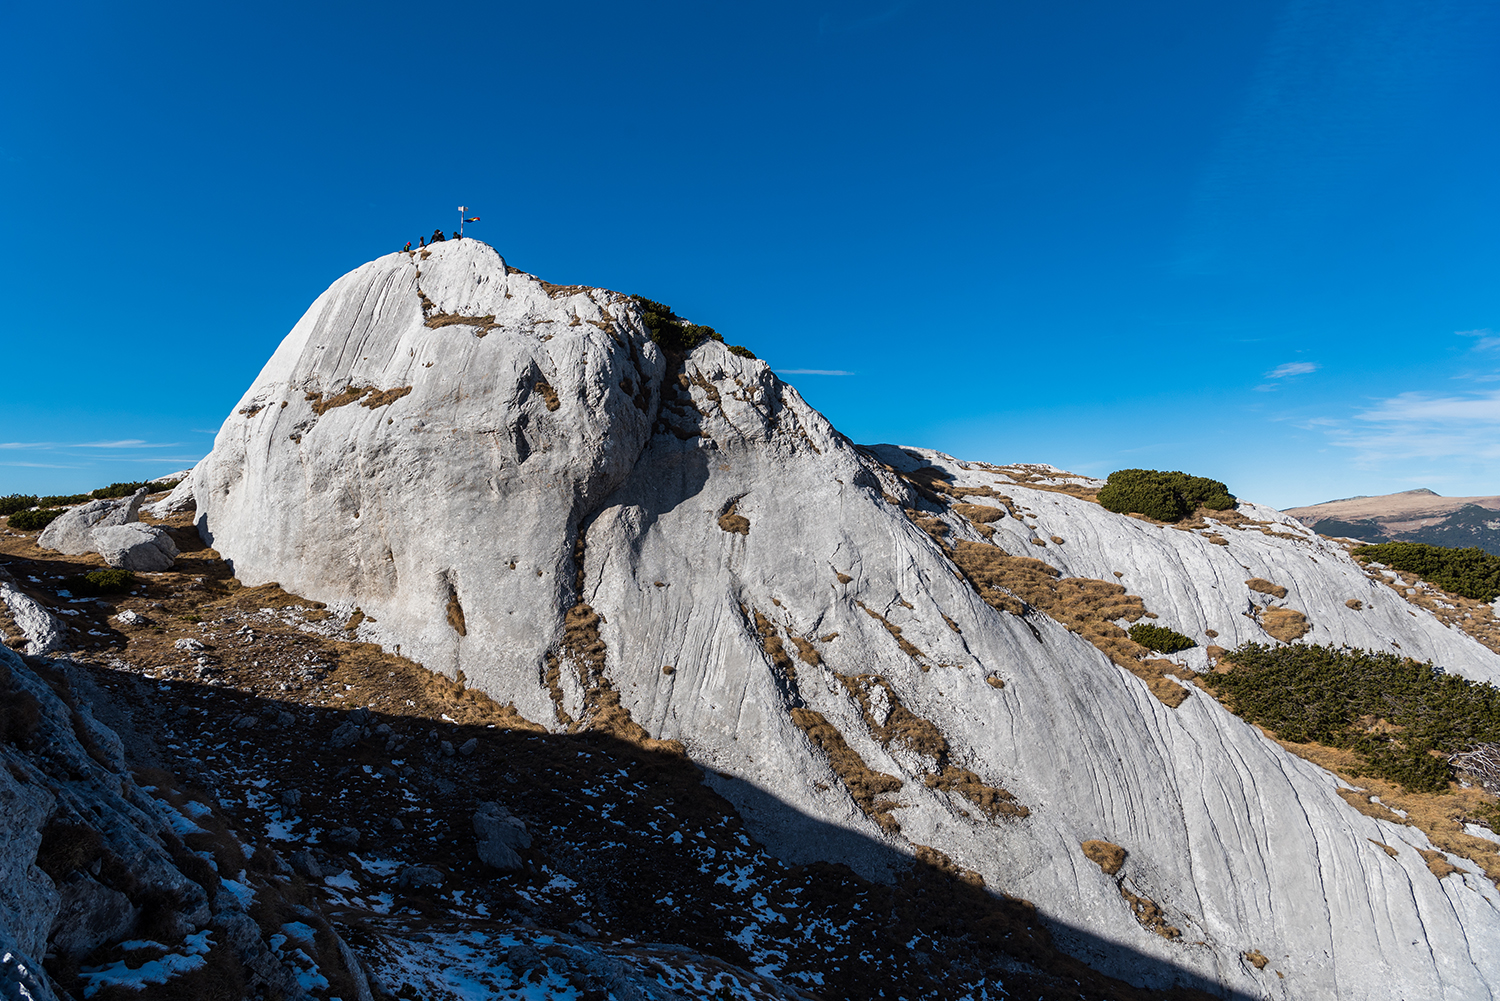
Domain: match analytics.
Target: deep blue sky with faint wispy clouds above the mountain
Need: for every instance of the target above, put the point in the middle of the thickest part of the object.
(1256, 242)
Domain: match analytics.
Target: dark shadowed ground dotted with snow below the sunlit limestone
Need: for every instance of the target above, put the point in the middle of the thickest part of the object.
(629, 846)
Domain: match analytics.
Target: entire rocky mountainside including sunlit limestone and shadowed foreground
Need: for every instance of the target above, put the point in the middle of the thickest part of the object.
(505, 654)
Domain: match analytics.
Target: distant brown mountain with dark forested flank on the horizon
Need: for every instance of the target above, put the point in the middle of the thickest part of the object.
(1411, 517)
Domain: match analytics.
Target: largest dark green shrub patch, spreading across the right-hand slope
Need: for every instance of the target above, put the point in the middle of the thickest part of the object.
(1333, 696)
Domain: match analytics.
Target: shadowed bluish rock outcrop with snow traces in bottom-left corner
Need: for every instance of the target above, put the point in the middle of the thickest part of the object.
(92, 859)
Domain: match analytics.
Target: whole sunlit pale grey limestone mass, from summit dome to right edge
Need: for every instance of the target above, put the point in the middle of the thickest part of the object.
(509, 479)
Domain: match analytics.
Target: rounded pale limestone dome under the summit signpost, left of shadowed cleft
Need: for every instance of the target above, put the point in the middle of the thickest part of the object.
(386, 424)
